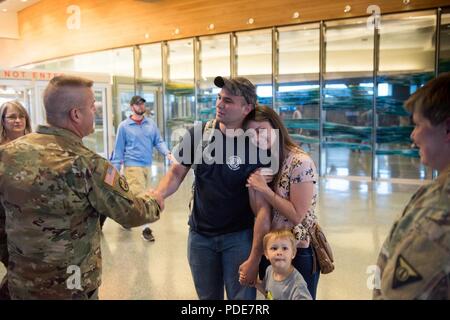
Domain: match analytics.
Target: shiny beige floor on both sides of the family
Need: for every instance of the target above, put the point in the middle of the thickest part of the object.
(355, 215)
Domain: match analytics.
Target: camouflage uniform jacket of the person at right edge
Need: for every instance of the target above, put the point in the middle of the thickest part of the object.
(415, 258)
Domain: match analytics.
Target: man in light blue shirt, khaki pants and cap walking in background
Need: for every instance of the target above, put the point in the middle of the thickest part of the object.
(136, 137)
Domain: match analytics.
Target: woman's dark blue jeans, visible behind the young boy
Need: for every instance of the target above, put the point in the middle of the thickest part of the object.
(303, 262)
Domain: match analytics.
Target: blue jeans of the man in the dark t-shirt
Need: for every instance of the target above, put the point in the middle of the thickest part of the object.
(215, 262)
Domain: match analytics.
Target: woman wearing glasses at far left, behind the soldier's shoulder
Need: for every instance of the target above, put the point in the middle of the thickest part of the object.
(15, 121)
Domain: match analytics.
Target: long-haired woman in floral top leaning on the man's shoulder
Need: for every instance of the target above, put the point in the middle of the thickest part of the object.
(292, 193)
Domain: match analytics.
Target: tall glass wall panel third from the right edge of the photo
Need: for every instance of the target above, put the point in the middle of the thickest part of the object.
(348, 98)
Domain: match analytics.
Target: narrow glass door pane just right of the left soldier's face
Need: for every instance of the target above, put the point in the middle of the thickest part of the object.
(96, 141)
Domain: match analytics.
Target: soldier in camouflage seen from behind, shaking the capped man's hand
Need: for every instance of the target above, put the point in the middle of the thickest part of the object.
(52, 190)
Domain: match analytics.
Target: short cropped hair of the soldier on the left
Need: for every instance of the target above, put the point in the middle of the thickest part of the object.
(62, 94)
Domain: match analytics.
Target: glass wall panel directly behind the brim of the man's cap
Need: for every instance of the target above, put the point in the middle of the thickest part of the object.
(214, 61)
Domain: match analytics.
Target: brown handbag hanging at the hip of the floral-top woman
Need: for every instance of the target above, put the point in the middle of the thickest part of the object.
(322, 249)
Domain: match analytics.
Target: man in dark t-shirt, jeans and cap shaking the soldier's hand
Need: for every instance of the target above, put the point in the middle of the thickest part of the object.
(224, 236)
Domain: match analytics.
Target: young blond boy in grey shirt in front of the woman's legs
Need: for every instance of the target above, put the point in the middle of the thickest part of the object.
(282, 281)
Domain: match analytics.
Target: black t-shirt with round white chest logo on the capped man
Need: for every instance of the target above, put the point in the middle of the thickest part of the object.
(221, 199)
